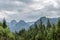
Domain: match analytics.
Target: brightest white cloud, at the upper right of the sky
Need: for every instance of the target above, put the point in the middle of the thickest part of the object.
(40, 4)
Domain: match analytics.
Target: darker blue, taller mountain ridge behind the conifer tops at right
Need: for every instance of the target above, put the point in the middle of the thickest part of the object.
(44, 20)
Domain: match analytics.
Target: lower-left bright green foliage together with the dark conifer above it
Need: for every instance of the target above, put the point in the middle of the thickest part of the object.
(5, 33)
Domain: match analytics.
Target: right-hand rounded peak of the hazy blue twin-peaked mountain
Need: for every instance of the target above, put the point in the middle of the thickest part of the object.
(20, 25)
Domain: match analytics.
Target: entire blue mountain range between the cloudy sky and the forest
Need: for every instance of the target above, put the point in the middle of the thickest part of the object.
(17, 26)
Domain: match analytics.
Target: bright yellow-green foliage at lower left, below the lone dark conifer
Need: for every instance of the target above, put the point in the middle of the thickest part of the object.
(5, 33)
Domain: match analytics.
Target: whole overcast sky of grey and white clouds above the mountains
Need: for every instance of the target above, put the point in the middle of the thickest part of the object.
(29, 10)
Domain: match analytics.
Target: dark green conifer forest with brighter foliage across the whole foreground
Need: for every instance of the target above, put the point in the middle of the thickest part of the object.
(40, 32)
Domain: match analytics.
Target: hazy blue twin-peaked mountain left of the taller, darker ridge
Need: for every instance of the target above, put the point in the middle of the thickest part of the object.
(17, 26)
